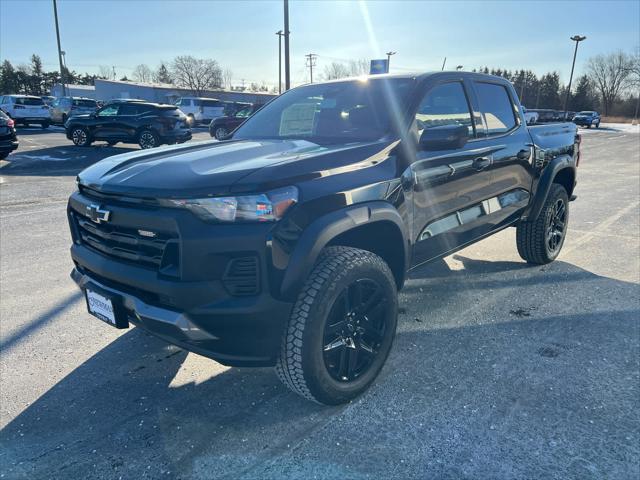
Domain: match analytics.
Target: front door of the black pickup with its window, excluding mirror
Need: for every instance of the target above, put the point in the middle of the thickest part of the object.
(448, 185)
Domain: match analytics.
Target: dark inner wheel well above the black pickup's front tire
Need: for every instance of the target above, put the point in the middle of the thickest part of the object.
(382, 238)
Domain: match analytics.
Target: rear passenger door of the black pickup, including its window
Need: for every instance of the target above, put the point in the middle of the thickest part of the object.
(507, 137)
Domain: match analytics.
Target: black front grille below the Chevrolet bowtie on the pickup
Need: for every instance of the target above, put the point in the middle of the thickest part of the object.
(158, 252)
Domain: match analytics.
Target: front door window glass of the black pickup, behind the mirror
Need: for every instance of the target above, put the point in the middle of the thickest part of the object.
(444, 104)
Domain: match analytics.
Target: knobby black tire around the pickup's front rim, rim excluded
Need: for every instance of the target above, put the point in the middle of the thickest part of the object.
(301, 366)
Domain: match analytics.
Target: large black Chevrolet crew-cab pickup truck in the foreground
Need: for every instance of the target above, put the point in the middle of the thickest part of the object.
(286, 244)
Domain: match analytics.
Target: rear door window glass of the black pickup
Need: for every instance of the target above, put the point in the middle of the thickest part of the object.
(497, 107)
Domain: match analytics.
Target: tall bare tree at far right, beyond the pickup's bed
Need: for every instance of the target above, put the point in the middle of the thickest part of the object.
(609, 73)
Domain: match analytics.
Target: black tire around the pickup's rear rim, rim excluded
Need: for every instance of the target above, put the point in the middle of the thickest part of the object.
(531, 237)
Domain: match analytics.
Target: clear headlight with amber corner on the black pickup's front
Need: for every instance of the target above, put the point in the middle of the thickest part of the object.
(264, 207)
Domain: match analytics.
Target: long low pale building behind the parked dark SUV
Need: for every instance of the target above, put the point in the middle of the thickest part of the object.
(153, 92)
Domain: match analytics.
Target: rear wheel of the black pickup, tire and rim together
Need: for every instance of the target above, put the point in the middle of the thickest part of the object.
(540, 241)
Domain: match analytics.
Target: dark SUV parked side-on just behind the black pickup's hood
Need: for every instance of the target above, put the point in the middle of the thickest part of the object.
(147, 124)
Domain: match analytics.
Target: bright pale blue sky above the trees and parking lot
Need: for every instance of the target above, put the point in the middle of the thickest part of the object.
(240, 35)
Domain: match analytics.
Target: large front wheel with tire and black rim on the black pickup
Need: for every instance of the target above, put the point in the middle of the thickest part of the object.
(341, 328)
